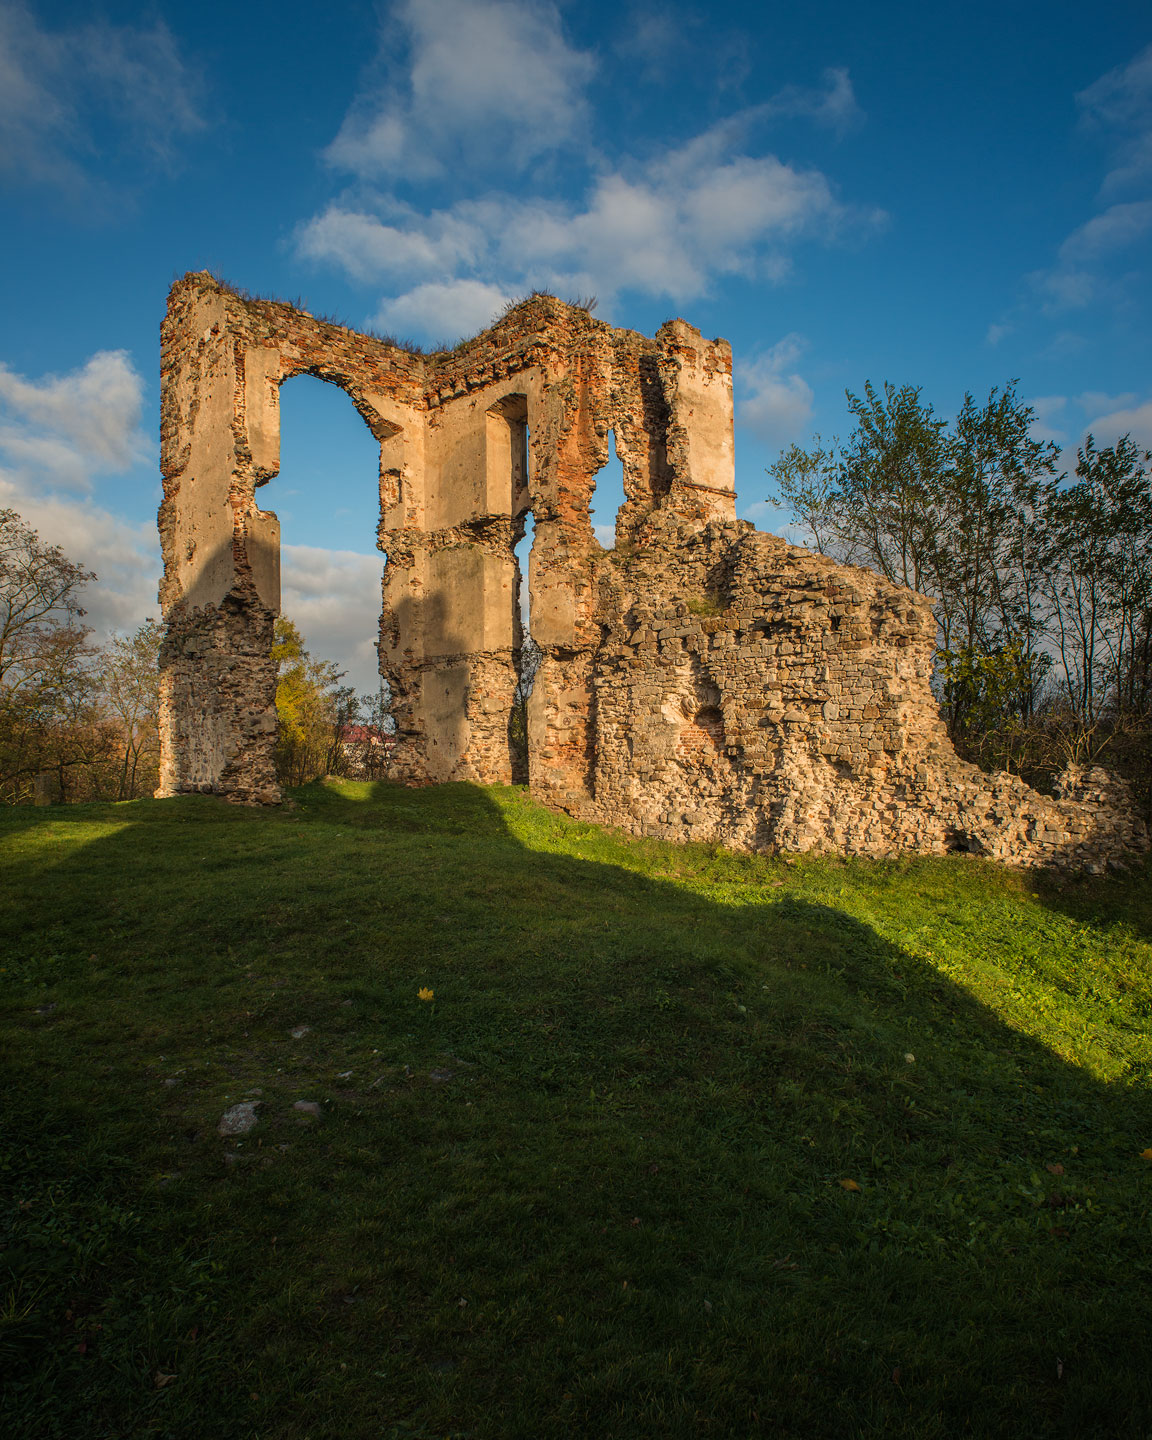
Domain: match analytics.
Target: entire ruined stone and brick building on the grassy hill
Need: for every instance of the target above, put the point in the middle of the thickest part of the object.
(699, 682)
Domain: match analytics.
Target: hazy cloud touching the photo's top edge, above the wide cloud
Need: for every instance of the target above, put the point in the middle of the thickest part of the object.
(492, 83)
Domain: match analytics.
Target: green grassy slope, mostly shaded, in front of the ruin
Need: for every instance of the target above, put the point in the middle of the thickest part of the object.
(593, 1189)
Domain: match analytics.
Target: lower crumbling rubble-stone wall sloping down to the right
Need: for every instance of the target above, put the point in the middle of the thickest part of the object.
(760, 696)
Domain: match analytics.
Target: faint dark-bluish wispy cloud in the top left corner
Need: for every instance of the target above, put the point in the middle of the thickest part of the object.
(58, 87)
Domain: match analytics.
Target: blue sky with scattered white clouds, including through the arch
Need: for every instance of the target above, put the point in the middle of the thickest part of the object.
(950, 197)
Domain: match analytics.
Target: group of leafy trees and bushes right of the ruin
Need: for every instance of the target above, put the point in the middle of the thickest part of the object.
(1043, 585)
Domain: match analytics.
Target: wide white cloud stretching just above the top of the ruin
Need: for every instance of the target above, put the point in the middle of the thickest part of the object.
(669, 228)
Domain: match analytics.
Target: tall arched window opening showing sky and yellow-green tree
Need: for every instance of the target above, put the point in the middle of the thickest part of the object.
(328, 496)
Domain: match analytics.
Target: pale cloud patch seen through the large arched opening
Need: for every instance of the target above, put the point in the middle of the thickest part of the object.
(335, 600)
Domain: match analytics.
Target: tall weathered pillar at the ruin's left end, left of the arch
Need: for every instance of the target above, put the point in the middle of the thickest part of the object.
(221, 587)
